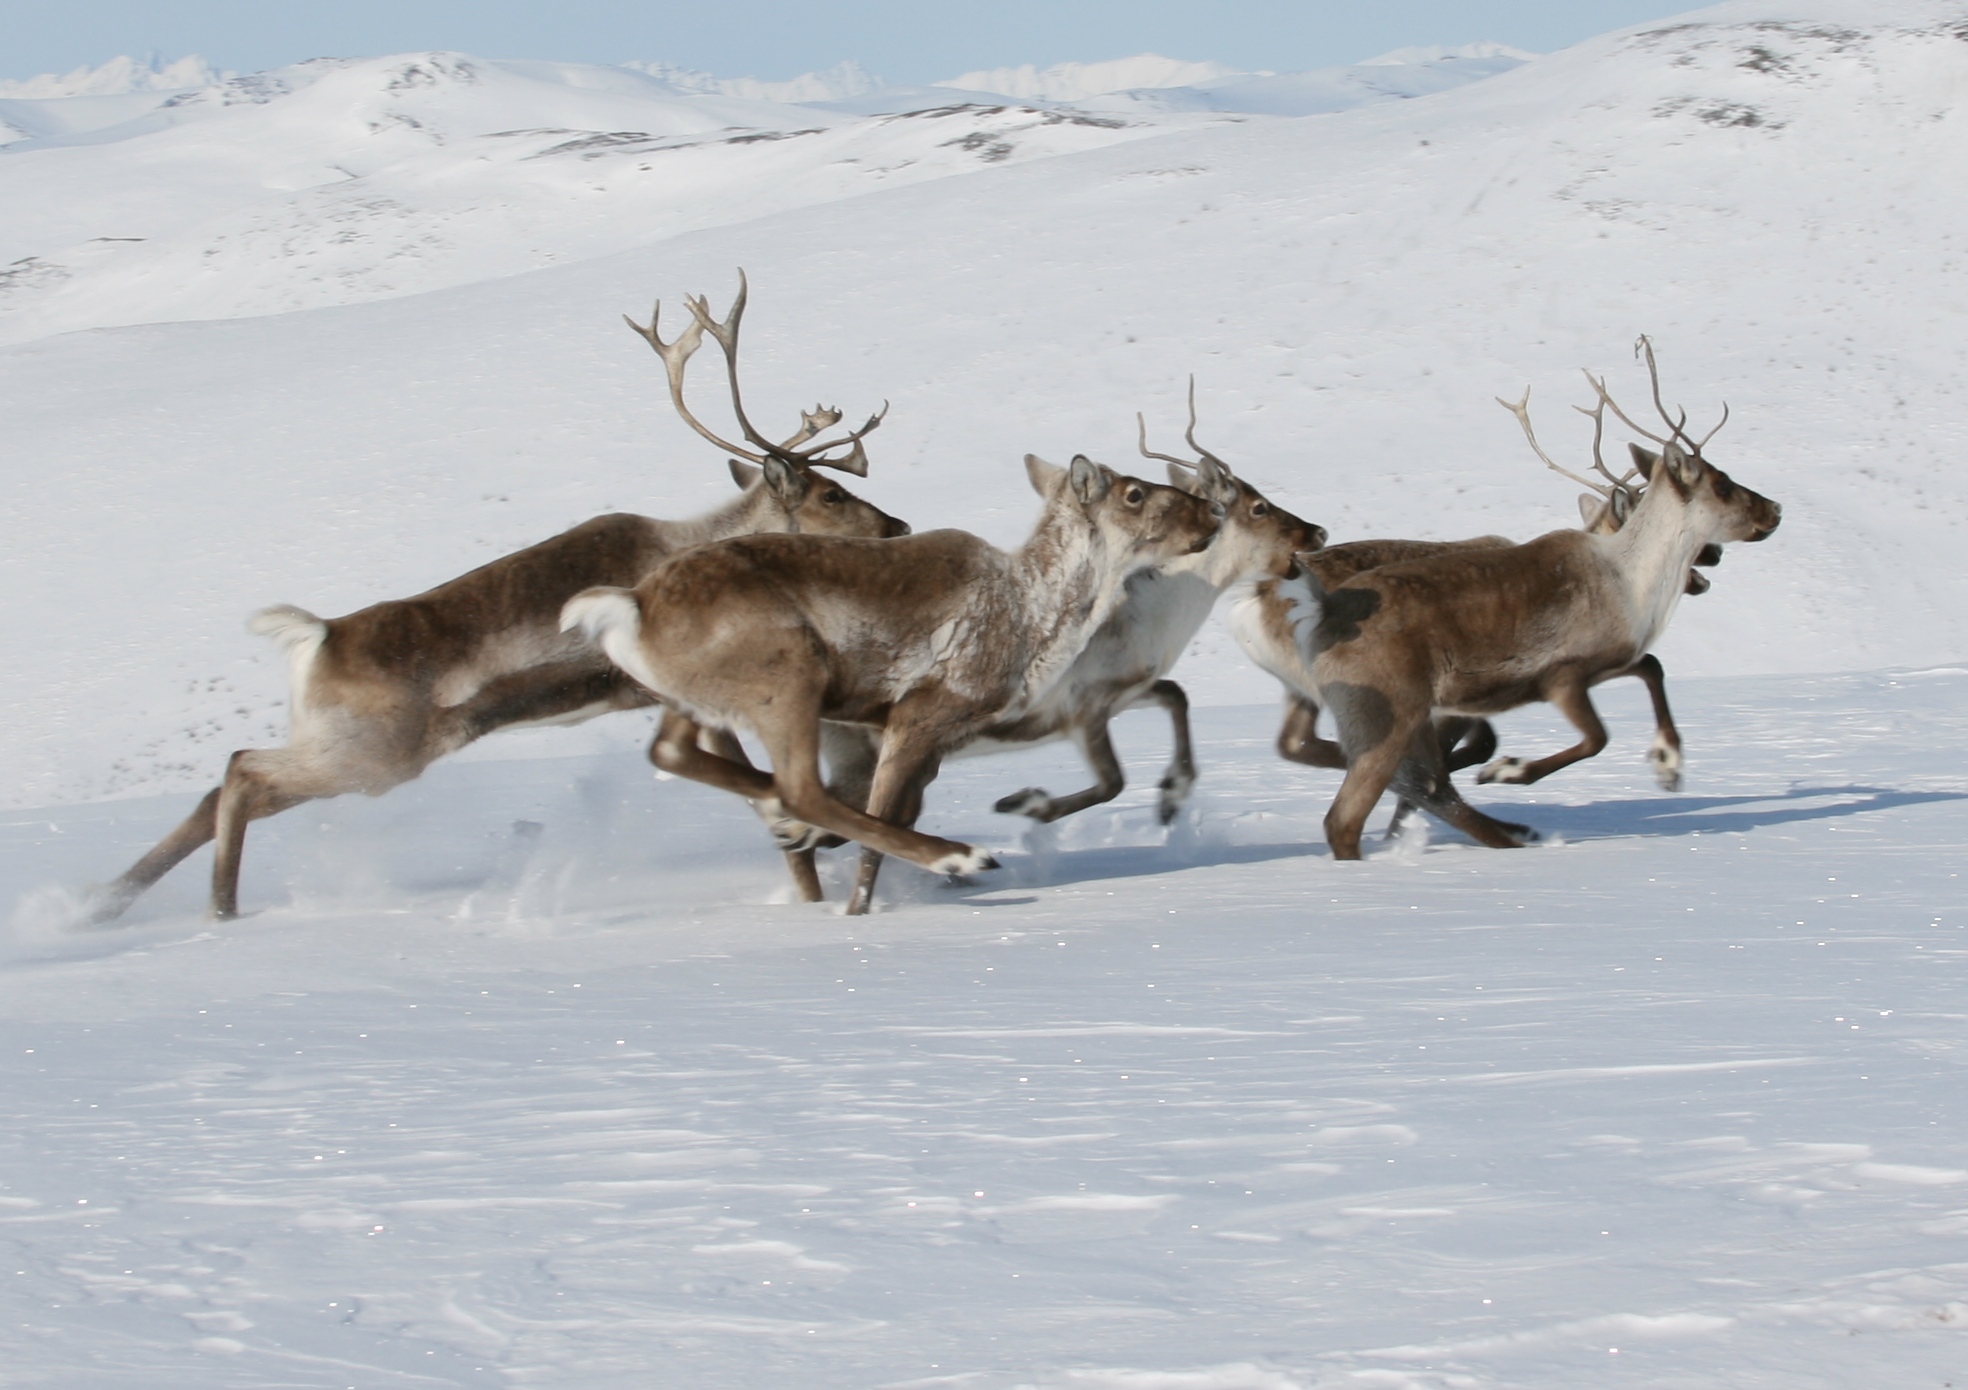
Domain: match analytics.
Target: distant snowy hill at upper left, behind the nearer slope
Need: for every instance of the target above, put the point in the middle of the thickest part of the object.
(338, 182)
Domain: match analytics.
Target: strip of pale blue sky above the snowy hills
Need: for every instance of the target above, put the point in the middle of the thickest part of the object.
(900, 40)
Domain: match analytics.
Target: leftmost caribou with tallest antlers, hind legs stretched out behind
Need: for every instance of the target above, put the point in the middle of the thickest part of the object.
(381, 694)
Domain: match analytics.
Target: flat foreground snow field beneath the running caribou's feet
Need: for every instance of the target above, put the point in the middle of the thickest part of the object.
(519, 1082)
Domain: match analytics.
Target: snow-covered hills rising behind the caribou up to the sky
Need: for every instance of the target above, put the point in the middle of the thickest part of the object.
(1766, 192)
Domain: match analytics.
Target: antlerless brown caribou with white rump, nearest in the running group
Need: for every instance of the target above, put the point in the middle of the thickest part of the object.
(932, 639)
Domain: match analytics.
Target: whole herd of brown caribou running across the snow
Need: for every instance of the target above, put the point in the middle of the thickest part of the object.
(861, 655)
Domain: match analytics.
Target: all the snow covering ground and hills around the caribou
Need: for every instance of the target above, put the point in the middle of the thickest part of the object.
(532, 1074)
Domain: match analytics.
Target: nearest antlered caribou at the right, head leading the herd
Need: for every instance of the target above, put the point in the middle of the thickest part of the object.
(1479, 631)
